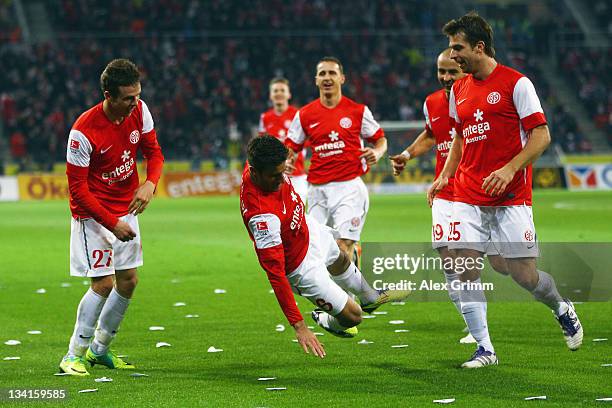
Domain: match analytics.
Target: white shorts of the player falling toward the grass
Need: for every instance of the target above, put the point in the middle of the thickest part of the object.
(311, 279)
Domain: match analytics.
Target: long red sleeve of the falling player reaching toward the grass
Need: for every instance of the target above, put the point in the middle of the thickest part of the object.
(273, 261)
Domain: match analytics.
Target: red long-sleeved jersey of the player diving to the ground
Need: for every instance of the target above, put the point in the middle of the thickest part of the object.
(277, 226)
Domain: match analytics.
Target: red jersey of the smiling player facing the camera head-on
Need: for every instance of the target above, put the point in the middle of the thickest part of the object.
(335, 137)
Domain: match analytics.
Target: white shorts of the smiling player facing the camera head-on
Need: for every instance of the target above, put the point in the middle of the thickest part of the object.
(342, 205)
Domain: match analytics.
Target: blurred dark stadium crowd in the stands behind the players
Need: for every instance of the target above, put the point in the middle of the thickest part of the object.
(206, 67)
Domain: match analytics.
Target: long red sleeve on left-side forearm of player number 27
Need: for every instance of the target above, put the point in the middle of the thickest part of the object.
(79, 191)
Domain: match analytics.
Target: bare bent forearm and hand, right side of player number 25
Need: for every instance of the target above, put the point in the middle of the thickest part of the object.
(498, 180)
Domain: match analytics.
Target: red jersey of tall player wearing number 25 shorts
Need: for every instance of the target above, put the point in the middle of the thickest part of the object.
(494, 117)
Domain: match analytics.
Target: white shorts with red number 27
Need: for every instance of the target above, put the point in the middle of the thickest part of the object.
(95, 251)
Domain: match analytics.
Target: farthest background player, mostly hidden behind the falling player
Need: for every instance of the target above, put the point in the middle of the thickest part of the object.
(276, 122)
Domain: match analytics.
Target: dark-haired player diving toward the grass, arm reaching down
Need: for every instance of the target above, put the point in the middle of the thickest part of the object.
(299, 254)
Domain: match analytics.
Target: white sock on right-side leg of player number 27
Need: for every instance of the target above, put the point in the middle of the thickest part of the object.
(110, 319)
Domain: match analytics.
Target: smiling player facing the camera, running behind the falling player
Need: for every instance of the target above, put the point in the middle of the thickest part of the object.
(336, 128)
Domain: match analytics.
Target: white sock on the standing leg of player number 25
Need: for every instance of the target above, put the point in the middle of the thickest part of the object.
(474, 310)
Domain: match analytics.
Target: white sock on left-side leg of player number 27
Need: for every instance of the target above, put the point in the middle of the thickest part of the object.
(88, 313)
